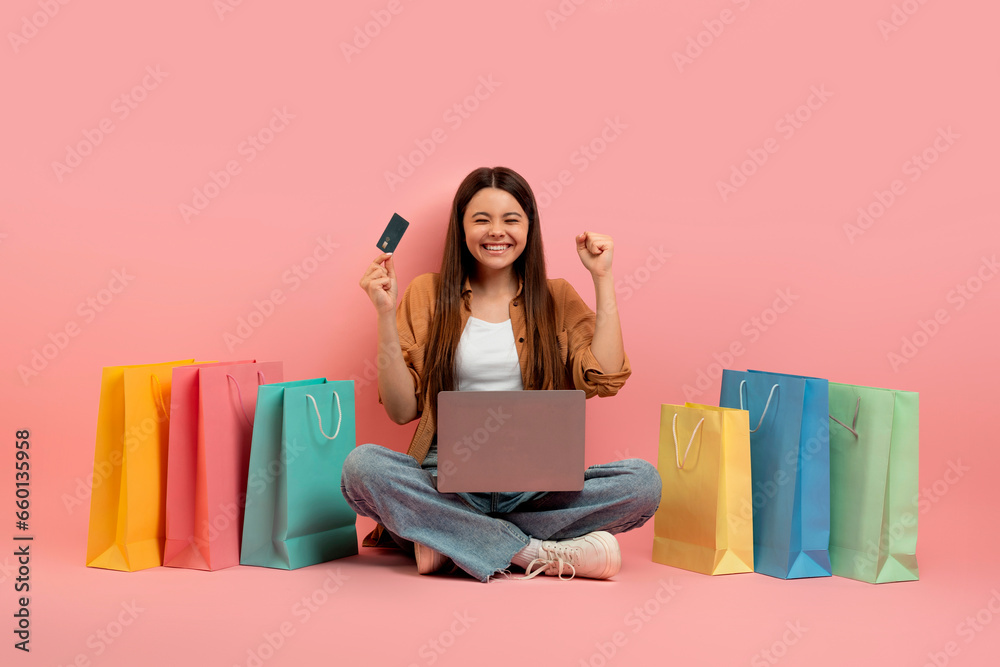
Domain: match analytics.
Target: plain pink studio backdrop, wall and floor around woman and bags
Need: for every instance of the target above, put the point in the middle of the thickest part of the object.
(681, 130)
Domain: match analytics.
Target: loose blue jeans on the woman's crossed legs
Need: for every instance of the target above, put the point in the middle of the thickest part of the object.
(481, 532)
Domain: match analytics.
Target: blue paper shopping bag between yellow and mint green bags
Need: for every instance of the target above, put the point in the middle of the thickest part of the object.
(790, 463)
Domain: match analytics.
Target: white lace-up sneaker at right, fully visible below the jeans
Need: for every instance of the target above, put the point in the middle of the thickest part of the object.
(595, 556)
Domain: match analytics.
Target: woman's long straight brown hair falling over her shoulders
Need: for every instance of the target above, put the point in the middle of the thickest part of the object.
(545, 367)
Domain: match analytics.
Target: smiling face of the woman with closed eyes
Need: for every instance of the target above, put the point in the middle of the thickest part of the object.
(496, 228)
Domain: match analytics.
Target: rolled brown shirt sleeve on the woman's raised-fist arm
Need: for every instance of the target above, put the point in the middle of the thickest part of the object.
(579, 322)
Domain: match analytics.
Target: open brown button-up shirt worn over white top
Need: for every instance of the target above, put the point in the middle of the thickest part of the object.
(574, 322)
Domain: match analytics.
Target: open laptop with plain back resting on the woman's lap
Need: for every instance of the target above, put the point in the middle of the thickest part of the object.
(509, 441)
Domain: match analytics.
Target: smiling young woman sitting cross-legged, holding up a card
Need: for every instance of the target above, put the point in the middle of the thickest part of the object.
(491, 320)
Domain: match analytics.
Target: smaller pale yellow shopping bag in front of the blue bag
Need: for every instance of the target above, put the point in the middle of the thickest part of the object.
(704, 522)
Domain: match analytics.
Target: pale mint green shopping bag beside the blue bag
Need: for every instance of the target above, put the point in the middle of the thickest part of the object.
(873, 483)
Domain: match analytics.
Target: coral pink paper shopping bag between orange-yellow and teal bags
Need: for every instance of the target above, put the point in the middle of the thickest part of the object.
(211, 418)
